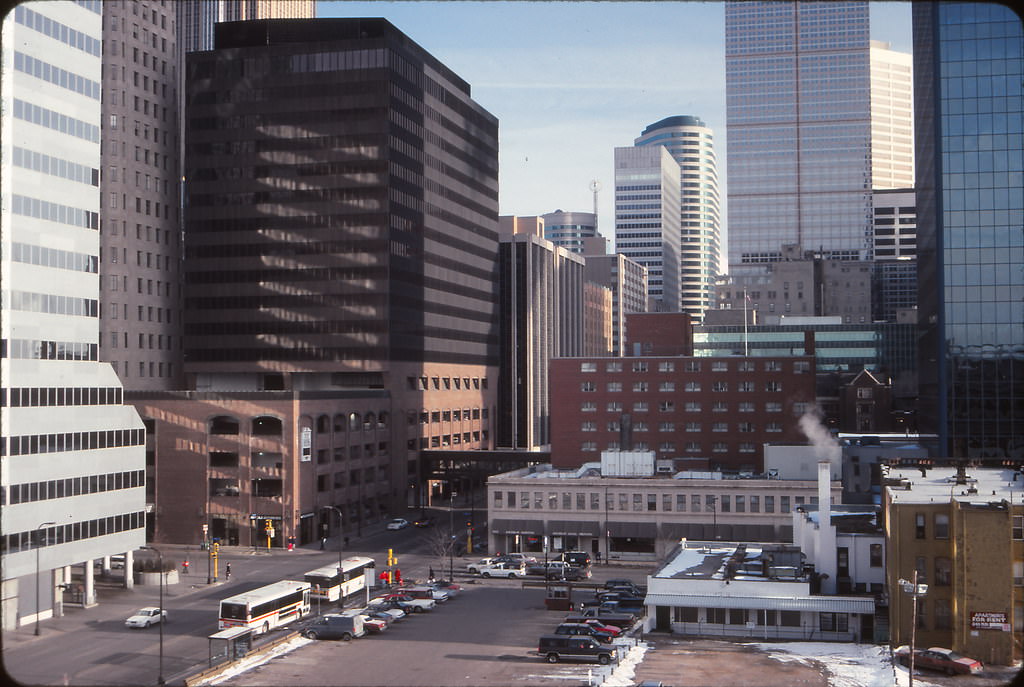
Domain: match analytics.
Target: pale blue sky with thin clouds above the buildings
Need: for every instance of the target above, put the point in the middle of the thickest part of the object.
(570, 81)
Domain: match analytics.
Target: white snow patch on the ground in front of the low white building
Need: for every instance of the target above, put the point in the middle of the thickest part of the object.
(847, 665)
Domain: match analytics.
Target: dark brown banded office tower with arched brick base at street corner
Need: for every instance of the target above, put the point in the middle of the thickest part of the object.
(342, 313)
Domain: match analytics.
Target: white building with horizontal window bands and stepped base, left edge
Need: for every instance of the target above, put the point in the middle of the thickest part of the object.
(73, 460)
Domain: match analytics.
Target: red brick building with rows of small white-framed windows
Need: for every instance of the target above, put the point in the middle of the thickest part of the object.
(722, 410)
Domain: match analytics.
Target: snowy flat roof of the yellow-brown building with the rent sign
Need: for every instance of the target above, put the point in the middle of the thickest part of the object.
(923, 485)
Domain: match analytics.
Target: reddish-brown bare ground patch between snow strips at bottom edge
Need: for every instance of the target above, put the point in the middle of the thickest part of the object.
(701, 663)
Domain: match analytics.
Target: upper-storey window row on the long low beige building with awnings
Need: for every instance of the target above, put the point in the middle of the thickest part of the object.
(668, 503)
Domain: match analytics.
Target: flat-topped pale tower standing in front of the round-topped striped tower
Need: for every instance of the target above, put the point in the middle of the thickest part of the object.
(648, 220)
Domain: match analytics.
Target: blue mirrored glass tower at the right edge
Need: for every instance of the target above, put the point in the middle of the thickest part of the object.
(969, 105)
